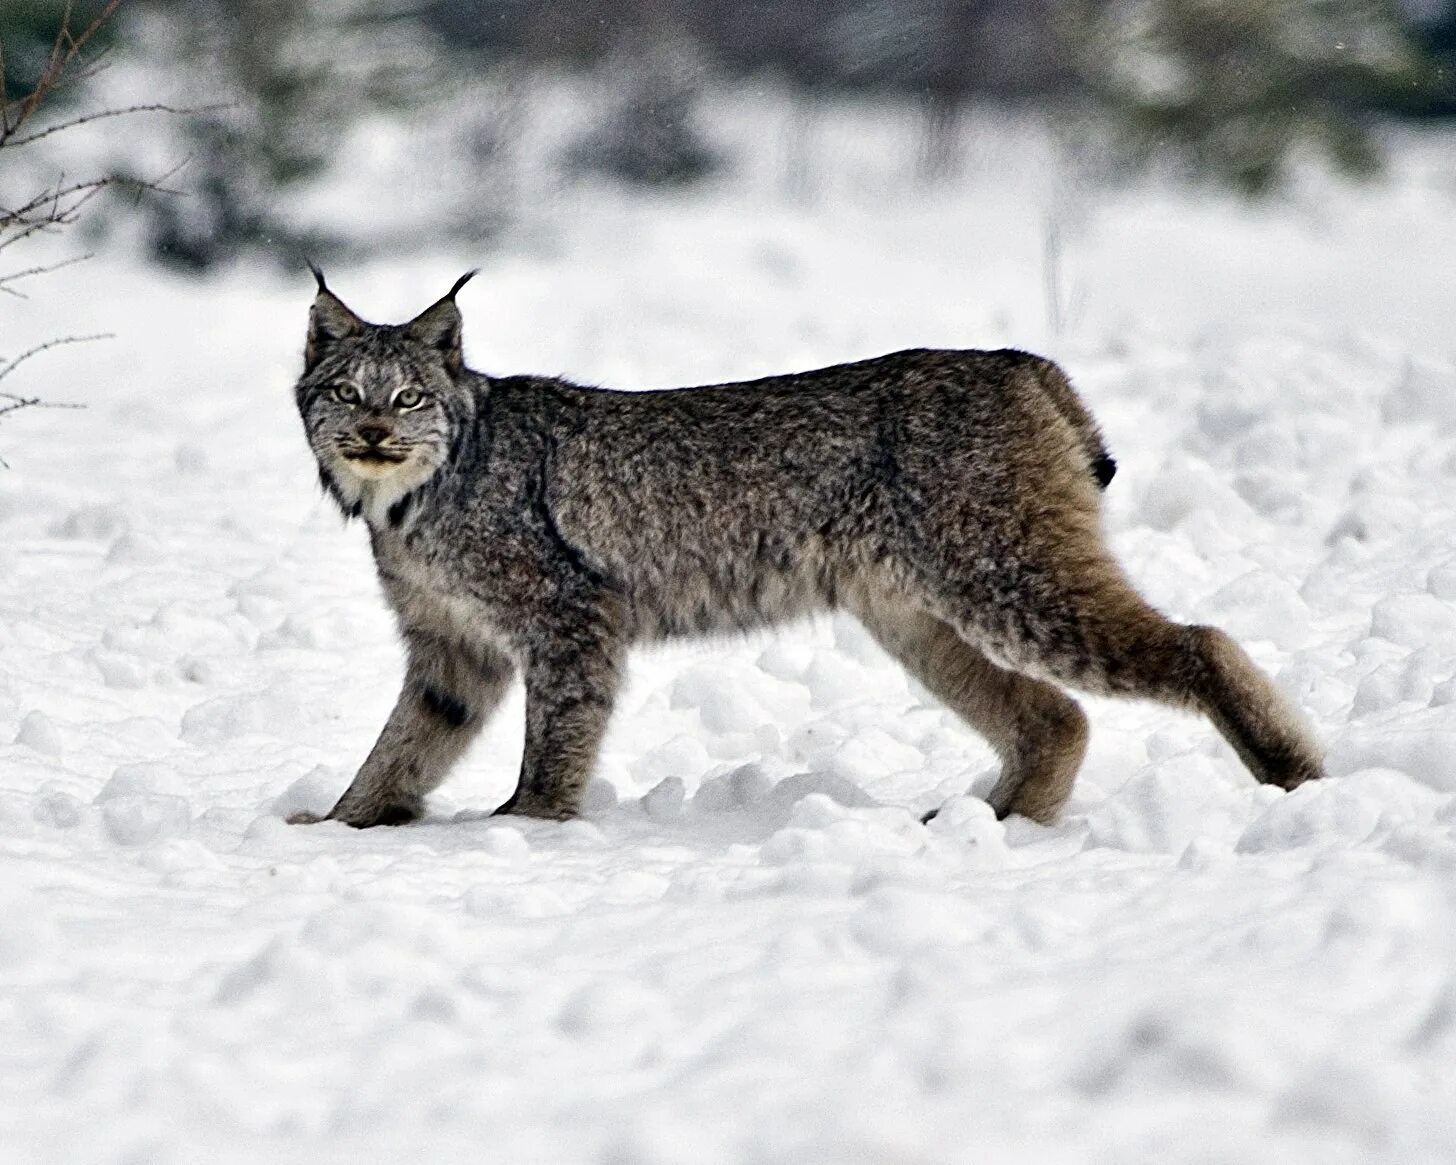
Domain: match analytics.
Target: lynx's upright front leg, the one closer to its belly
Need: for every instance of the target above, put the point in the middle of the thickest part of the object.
(570, 690)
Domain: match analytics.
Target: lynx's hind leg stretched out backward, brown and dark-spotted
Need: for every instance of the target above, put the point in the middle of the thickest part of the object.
(1090, 630)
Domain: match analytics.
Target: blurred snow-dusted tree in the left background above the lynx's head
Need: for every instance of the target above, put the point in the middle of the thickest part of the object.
(289, 79)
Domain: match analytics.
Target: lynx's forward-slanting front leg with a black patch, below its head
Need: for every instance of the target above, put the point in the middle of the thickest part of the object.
(446, 701)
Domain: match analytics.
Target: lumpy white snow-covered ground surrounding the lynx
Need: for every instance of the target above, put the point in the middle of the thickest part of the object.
(749, 950)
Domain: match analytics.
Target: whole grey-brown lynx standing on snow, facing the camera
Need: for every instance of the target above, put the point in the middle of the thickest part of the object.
(947, 499)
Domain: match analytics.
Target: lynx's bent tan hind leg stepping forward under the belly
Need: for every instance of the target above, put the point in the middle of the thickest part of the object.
(1039, 733)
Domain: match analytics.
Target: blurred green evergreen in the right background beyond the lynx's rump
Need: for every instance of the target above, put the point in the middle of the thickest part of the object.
(1238, 90)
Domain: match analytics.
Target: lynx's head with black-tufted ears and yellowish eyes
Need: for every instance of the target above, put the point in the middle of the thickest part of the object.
(384, 406)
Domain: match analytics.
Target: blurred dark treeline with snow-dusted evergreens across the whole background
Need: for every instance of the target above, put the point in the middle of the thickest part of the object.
(1227, 92)
